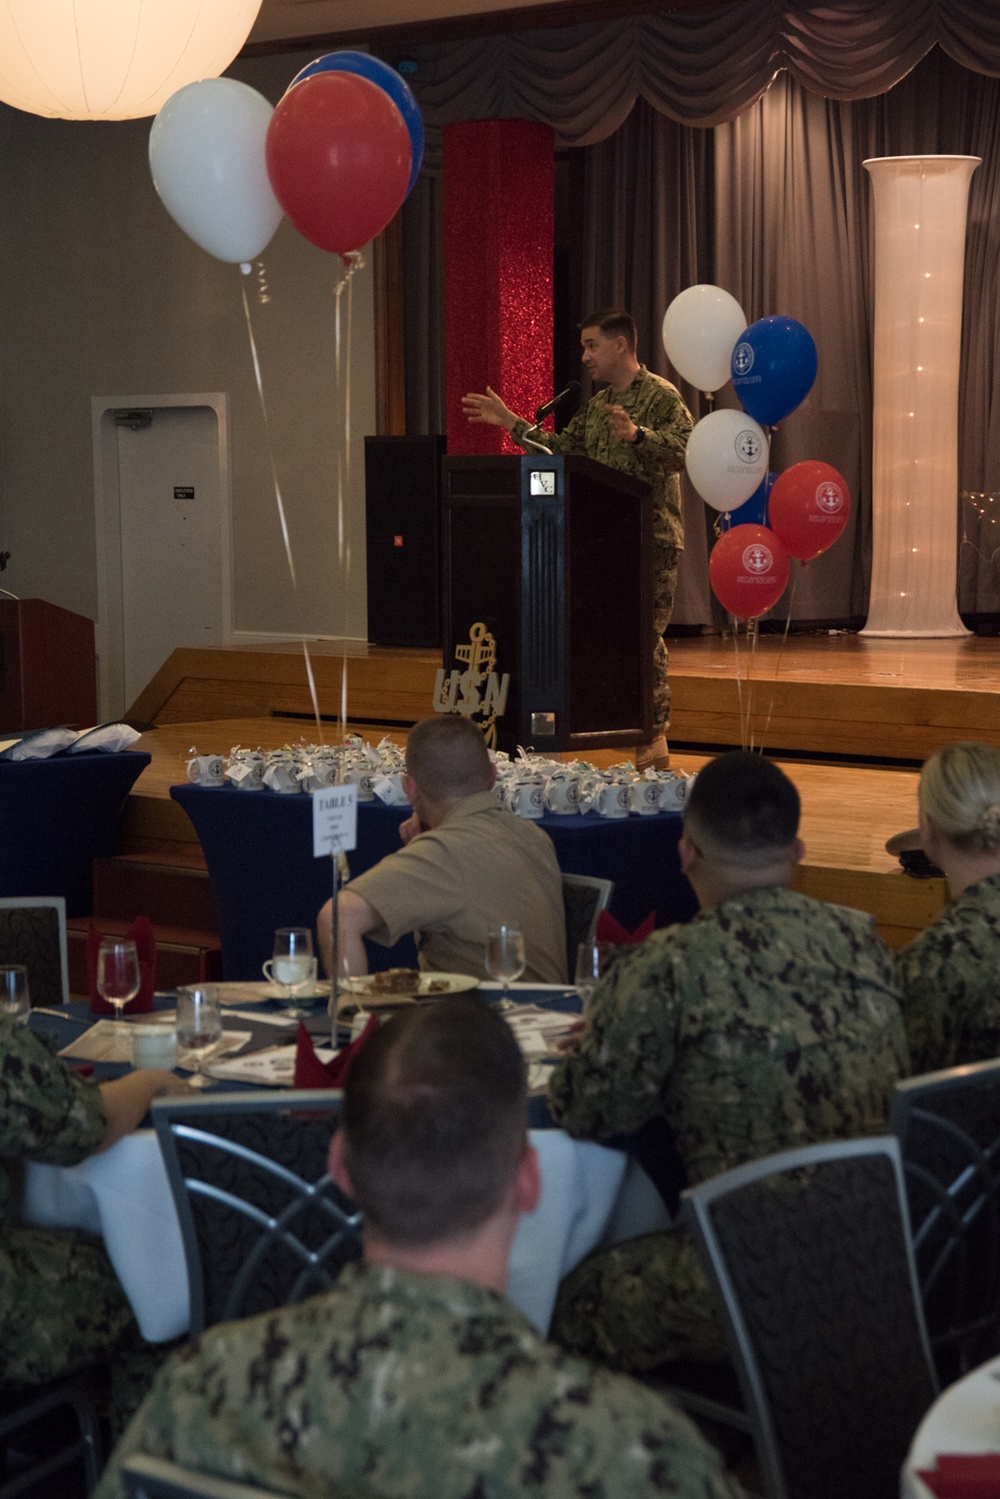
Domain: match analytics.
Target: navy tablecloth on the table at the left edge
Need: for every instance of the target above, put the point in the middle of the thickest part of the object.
(58, 816)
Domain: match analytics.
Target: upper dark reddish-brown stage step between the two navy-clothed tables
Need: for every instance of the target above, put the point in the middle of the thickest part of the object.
(170, 887)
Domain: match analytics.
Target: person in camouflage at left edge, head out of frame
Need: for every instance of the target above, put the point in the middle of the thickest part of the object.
(62, 1309)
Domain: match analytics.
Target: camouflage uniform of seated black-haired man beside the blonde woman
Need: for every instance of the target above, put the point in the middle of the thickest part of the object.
(768, 1022)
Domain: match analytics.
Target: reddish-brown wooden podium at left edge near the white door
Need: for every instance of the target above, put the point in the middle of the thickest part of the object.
(49, 671)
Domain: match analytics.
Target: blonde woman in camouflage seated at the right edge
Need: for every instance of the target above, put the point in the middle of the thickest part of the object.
(951, 974)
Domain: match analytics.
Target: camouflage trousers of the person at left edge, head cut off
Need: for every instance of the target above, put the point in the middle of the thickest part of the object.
(64, 1311)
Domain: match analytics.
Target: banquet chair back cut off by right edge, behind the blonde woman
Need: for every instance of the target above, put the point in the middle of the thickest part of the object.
(948, 1125)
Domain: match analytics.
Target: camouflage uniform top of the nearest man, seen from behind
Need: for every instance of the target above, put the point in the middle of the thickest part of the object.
(406, 1386)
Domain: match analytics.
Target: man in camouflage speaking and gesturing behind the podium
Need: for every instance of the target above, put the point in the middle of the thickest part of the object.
(639, 425)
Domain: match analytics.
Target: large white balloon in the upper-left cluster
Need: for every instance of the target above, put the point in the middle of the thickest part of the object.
(208, 163)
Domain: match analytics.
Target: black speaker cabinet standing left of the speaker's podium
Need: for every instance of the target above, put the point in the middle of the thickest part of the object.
(403, 491)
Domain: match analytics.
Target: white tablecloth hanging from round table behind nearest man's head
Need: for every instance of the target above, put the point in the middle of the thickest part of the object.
(590, 1197)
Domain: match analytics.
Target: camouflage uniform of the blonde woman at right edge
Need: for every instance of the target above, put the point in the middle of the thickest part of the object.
(951, 983)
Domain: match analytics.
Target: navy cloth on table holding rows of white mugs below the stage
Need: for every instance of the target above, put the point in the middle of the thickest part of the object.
(259, 849)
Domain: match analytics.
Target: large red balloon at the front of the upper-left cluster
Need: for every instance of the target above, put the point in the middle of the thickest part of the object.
(338, 157)
